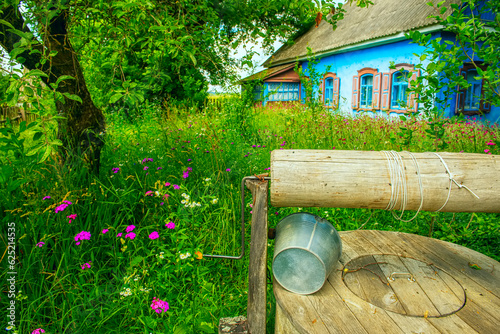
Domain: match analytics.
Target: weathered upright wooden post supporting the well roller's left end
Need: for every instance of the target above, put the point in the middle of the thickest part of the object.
(257, 280)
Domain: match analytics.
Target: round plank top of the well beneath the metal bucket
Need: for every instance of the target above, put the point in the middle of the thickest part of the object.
(455, 289)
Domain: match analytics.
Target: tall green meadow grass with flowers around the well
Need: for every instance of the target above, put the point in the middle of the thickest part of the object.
(220, 146)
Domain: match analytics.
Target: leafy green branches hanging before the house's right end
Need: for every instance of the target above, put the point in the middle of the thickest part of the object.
(468, 39)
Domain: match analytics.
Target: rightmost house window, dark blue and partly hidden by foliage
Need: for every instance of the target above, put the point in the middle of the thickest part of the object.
(470, 100)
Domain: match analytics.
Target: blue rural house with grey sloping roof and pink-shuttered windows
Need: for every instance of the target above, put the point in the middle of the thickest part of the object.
(355, 61)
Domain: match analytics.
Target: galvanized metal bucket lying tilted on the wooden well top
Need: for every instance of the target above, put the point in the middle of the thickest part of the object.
(306, 249)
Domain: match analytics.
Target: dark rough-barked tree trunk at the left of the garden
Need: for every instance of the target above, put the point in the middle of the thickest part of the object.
(82, 128)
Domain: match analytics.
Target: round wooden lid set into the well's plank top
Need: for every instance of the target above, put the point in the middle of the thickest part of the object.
(404, 285)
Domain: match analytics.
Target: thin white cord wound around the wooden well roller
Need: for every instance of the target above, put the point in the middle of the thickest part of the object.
(399, 187)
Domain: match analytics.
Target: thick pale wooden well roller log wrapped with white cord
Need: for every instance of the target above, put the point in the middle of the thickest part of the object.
(362, 179)
